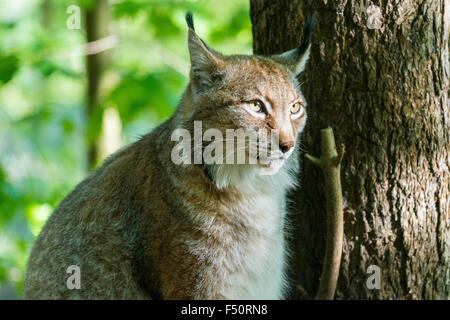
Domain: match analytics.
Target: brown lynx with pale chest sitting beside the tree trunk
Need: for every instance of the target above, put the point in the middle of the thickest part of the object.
(143, 227)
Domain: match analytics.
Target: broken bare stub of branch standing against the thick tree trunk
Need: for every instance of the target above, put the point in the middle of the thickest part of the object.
(330, 163)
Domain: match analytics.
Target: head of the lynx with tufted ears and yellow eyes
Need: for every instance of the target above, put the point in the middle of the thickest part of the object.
(250, 92)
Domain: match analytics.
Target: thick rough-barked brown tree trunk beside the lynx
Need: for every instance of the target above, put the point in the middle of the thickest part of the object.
(382, 83)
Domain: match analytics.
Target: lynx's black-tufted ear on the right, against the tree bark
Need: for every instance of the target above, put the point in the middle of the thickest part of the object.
(296, 58)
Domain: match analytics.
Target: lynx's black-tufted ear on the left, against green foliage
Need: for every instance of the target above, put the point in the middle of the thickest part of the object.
(204, 60)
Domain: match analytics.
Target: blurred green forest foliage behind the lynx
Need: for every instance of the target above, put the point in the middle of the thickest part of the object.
(79, 79)
